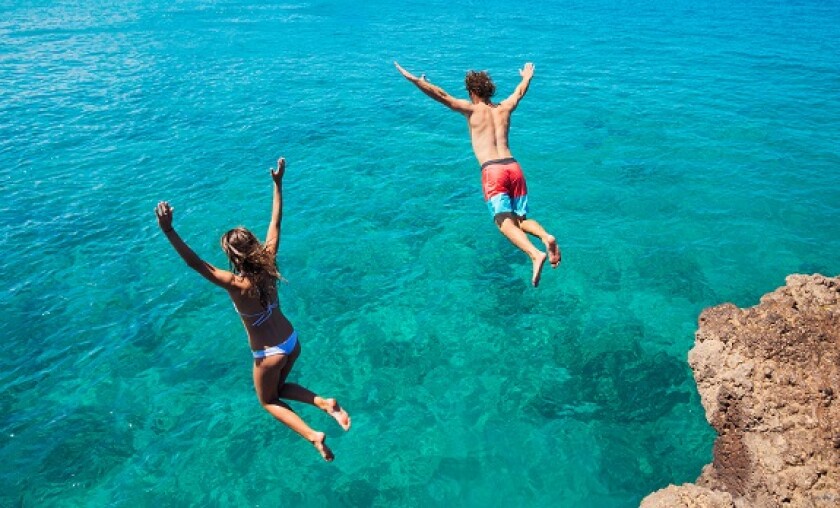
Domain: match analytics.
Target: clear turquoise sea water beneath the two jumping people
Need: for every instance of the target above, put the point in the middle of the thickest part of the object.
(685, 155)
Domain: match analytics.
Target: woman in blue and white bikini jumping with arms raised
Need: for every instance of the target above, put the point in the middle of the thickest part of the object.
(253, 288)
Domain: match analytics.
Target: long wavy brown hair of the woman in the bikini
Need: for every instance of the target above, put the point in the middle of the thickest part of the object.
(250, 259)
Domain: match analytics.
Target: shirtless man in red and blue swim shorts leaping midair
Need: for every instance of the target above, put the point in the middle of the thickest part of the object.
(501, 177)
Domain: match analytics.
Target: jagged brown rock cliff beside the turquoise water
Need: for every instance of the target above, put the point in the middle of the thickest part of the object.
(769, 380)
